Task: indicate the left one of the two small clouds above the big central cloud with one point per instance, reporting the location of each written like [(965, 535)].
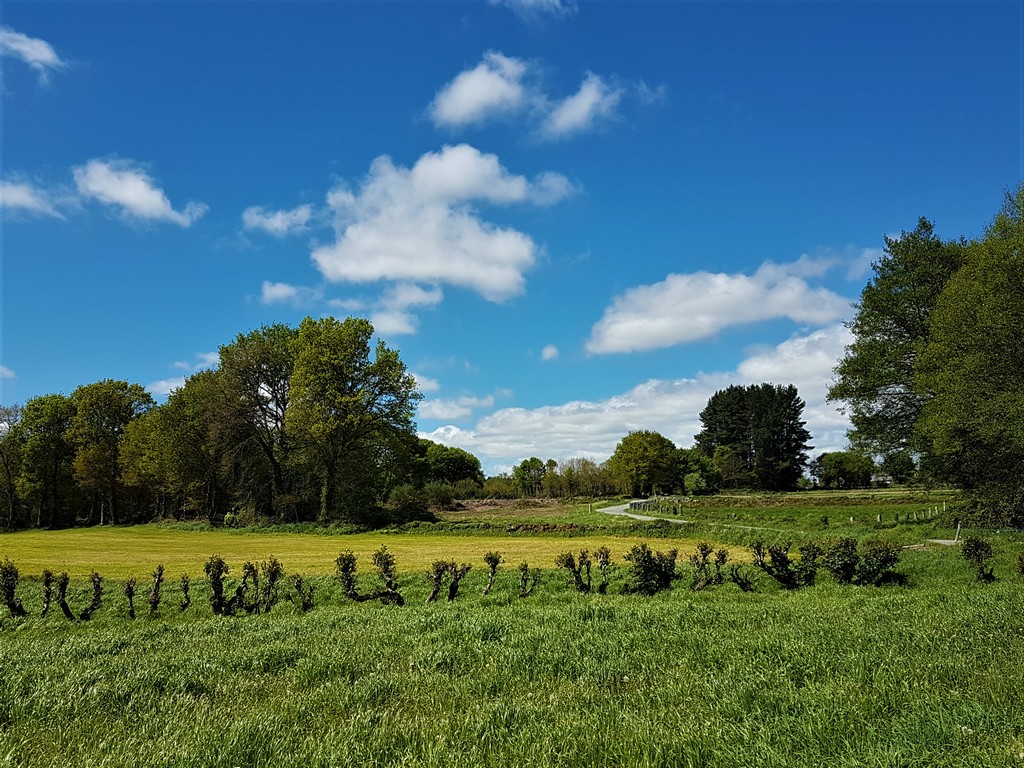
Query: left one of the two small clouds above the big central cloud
[(492, 89)]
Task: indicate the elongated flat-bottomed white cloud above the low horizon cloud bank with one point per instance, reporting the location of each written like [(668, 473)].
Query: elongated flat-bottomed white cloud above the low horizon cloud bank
[(689, 308)]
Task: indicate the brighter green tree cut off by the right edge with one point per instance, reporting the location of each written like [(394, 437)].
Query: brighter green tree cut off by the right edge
[(971, 373)]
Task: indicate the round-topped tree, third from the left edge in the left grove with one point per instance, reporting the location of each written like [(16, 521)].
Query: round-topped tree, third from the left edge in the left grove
[(103, 412)]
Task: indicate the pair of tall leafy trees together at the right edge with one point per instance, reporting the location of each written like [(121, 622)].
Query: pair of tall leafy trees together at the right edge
[(934, 378)]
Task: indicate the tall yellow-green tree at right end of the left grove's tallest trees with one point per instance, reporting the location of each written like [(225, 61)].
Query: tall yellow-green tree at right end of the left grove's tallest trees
[(347, 400)]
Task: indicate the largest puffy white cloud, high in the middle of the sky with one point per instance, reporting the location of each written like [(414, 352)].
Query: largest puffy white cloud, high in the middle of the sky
[(419, 226)]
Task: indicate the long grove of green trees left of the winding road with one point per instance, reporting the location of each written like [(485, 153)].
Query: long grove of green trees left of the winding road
[(294, 424)]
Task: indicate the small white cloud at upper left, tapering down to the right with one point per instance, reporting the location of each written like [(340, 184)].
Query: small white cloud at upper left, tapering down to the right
[(122, 184)]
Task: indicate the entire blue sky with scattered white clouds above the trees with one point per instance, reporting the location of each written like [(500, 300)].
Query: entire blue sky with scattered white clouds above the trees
[(574, 221)]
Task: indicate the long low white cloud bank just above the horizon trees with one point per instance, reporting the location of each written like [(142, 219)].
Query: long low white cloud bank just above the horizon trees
[(592, 430)]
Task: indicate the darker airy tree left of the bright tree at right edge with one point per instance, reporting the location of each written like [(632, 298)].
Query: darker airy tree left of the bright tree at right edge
[(876, 377)]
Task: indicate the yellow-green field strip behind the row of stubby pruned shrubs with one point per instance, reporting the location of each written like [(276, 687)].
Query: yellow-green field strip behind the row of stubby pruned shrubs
[(124, 552)]
